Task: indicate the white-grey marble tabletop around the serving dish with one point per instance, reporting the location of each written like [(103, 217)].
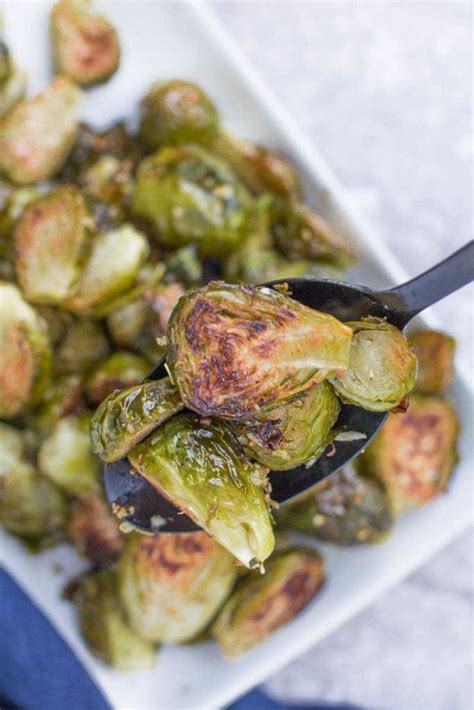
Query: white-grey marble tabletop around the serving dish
[(385, 91)]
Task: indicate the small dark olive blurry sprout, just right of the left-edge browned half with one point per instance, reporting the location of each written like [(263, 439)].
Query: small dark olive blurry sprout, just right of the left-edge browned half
[(83, 344)]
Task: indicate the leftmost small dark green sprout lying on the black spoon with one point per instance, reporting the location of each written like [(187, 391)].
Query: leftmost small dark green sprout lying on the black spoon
[(126, 418)]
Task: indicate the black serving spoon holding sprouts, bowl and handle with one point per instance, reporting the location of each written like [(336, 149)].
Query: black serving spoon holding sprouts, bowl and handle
[(398, 305)]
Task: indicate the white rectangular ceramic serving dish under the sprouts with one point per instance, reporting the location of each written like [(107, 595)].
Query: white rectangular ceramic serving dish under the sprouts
[(176, 39)]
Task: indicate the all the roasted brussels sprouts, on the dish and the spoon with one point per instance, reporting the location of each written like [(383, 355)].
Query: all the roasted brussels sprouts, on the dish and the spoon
[(118, 248)]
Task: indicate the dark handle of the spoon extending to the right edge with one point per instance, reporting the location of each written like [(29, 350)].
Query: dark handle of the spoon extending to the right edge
[(433, 285)]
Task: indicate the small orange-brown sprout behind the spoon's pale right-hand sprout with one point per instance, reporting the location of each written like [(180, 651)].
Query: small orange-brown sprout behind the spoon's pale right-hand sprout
[(435, 353)]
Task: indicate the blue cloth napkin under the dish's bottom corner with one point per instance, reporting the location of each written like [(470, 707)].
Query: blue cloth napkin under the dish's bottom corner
[(38, 670)]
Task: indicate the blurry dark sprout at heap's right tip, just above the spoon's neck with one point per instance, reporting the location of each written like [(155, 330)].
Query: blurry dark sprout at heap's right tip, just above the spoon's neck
[(300, 233)]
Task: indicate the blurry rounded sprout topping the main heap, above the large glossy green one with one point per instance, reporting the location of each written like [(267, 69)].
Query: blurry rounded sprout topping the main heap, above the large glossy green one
[(177, 113)]
